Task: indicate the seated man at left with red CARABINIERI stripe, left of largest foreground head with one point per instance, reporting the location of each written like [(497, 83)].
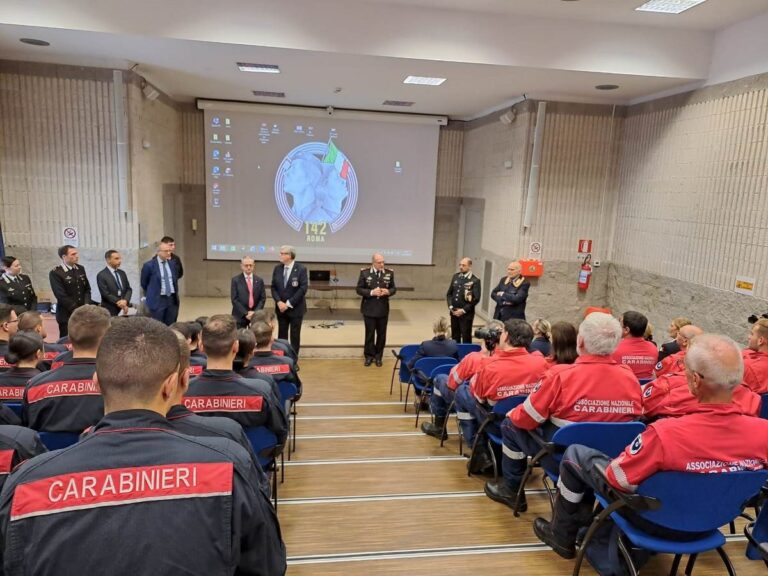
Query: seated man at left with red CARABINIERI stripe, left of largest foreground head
[(67, 399)]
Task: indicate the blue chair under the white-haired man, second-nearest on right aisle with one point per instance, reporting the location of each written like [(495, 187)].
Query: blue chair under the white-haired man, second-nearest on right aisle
[(610, 438)]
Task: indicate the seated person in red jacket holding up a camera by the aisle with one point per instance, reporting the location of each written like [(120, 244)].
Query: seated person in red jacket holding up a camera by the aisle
[(445, 386)]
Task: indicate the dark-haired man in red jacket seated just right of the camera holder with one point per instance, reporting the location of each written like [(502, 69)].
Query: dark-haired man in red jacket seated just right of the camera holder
[(513, 372)]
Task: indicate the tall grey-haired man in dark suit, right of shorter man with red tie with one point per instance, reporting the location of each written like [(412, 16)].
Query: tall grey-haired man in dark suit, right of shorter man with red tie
[(289, 290)]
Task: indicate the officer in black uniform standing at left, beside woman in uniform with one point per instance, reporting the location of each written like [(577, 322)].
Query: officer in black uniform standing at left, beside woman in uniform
[(69, 285)]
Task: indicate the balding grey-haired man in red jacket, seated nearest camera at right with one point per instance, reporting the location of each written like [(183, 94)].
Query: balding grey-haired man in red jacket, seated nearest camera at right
[(713, 369)]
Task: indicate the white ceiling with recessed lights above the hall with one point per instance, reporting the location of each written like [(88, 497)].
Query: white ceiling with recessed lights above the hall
[(491, 53)]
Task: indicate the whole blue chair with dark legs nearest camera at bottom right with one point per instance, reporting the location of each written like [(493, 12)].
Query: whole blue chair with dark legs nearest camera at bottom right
[(695, 505)]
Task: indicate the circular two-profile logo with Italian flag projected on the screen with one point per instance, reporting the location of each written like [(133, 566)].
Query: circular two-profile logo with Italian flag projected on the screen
[(316, 188)]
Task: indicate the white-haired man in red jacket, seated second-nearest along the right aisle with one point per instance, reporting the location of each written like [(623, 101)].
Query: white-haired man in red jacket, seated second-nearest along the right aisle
[(595, 388)]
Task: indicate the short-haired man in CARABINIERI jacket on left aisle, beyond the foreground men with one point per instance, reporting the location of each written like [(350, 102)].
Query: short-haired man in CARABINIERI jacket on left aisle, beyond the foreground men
[(220, 391)]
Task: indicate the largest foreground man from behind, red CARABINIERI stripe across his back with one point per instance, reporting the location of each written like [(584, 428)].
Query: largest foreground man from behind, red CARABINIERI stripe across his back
[(133, 479)]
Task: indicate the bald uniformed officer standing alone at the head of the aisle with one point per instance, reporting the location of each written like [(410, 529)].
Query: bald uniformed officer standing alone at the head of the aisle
[(376, 284)]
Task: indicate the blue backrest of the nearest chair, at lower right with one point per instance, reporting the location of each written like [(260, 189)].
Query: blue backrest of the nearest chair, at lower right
[(697, 502)]
